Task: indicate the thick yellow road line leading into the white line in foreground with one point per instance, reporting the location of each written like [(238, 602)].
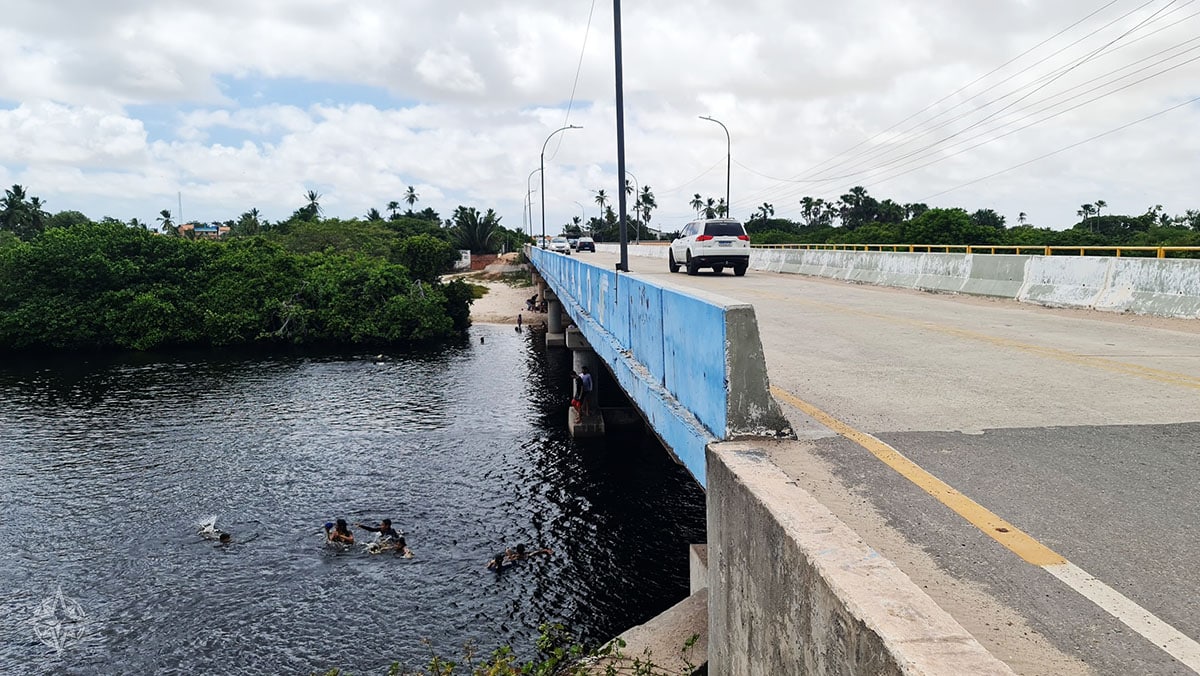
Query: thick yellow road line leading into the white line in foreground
[(1004, 533)]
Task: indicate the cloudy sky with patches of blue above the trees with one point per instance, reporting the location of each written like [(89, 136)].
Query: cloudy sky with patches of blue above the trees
[(118, 107)]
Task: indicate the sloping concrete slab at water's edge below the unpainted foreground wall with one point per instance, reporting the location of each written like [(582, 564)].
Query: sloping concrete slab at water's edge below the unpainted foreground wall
[(665, 639)]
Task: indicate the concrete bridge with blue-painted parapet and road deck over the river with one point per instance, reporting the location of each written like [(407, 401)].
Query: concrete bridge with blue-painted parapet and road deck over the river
[(945, 484)]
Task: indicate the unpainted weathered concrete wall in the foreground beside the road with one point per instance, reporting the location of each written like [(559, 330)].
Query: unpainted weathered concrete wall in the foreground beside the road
[(793, 590)]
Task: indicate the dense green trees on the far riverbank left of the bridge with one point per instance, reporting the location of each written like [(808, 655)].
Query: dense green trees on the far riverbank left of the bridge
[(68, 283)]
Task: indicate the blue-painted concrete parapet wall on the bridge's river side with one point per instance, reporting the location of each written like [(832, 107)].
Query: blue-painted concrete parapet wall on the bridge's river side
[(693, 363)]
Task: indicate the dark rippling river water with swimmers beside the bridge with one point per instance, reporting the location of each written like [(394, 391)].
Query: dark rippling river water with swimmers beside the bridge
[(107, 466)]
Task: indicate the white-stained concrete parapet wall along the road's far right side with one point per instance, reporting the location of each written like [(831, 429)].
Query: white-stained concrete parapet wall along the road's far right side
[(1144, 286)]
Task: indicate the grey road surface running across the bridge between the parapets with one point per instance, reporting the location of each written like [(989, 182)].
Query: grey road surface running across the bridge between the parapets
[(1079, 430)]
